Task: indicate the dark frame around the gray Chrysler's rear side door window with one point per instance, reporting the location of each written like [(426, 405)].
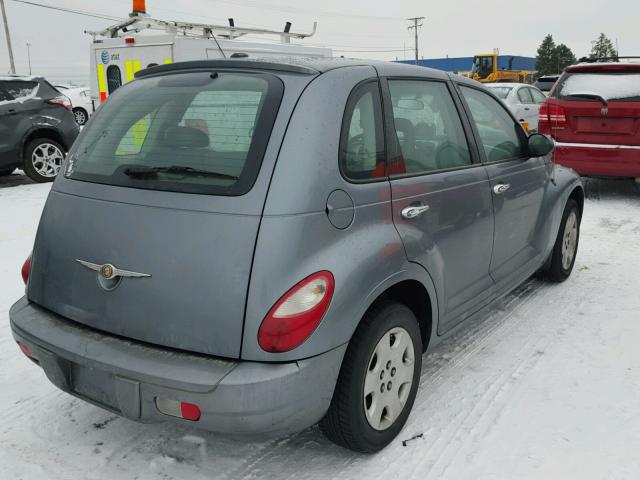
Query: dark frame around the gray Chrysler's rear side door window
[(392, 139)]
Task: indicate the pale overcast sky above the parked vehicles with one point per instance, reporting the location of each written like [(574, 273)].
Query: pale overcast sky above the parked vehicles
[(355, 28)]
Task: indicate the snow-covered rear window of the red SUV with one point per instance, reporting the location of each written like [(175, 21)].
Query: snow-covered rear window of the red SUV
[(614, 87)]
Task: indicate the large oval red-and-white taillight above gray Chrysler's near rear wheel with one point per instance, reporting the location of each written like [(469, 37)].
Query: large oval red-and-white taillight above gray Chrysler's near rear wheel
[(297, 314)]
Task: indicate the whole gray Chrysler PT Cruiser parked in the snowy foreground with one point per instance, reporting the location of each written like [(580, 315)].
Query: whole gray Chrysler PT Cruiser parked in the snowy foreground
[(255, 247)]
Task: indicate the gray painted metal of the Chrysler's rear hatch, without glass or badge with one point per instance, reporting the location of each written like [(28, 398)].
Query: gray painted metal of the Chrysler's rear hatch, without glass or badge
[(197, 248)]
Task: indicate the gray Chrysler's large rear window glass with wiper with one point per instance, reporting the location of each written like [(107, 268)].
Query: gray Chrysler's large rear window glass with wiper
[(188, 132)]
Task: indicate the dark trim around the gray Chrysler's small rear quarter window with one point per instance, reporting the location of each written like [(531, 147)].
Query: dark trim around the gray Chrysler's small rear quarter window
[(344, 132)]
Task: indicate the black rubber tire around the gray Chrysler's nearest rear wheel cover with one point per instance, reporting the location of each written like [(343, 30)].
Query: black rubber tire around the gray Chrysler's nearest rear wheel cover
[(346, 422)]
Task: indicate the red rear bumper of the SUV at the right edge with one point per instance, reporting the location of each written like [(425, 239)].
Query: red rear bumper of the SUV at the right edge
[(608, 160)]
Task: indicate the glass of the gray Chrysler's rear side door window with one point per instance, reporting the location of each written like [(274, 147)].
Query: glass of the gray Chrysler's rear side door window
[(428, 127)]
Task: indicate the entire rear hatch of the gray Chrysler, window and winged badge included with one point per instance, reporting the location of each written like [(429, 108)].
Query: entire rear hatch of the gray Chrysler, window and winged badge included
[(150, 233)]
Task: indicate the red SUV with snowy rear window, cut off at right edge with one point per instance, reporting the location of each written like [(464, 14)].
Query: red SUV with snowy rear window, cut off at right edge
[(593, 114)]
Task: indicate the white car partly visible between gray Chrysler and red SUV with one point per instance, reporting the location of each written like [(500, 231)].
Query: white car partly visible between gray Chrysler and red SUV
[(523, 100)]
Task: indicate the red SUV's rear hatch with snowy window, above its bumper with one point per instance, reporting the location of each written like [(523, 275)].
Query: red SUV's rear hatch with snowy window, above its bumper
[(597, 105)]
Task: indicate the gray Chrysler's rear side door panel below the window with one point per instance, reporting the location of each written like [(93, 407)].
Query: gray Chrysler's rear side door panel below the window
[(459, 219)]
